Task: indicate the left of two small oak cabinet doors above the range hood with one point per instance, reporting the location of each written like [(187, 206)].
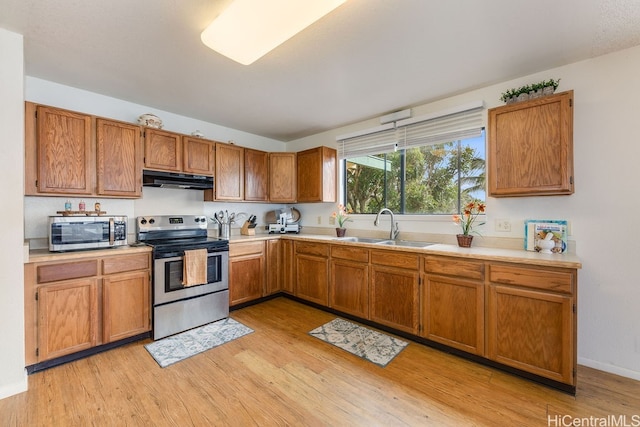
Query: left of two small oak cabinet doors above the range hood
[(162, 150)]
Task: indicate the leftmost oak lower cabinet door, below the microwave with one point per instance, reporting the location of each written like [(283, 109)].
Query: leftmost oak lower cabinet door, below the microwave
[(67, 318)]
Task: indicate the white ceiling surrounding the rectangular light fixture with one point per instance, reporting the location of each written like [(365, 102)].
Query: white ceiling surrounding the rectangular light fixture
[(365, 59)]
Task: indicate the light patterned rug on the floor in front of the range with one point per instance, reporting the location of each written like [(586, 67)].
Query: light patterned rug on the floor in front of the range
[(175, 348)]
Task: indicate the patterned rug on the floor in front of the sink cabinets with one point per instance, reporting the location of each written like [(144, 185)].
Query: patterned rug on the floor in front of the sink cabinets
[(373, 346)]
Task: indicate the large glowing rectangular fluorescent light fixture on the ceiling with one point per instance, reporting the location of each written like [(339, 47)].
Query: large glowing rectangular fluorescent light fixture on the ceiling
[(248, 29)]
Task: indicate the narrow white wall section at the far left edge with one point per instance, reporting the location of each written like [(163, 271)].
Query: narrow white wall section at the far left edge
[(13, 377)]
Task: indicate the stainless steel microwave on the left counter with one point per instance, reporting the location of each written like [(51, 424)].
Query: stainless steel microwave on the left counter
[(71, 233)]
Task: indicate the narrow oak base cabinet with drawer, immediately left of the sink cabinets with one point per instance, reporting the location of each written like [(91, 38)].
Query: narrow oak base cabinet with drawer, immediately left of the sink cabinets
[(312, 272)]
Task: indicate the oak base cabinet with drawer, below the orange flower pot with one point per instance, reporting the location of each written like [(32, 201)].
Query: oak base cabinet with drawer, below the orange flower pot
[(453, 303)]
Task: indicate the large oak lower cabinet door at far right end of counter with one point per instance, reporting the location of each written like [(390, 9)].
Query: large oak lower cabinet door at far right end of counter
[(533, 331)]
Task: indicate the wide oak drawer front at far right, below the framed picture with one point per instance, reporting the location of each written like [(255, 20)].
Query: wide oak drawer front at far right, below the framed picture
[(547, 279)]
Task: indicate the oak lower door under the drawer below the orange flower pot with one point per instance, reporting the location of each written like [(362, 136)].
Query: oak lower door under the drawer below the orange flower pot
[(453, 313)]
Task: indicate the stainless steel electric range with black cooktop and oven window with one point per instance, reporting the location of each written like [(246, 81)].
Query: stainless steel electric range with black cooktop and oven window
[(177, 307)]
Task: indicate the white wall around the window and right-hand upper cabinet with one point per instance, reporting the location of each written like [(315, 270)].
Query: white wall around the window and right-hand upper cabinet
[(601, 212)]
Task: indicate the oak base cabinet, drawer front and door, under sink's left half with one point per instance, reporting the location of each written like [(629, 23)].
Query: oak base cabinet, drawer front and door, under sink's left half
[(349, 282)]
